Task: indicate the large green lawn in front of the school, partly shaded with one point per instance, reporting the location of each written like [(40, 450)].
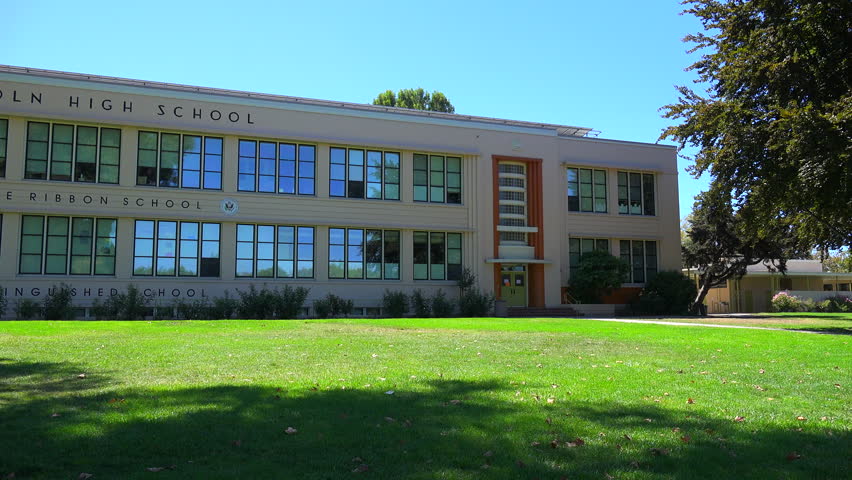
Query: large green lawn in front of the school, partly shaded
[(421, 399)]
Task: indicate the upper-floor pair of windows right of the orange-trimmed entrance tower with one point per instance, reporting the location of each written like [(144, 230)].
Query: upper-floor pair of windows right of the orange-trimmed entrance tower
[(587, 192)]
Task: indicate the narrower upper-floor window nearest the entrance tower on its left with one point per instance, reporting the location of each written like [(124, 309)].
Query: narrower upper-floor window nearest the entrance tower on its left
[(437, 178)]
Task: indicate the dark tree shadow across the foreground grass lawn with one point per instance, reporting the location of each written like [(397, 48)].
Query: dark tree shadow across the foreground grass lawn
[(451, 429)]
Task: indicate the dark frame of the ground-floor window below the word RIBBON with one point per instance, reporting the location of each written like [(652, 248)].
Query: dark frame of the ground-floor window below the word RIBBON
[(68, 245)]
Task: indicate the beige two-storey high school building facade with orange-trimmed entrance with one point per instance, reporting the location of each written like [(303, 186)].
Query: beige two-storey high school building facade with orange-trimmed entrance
[(190, 192)]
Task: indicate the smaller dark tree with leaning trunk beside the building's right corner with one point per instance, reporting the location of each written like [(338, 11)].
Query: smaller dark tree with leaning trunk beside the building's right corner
[(721, 245)]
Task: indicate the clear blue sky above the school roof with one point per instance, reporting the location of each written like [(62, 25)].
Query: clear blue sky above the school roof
[(609, 65)]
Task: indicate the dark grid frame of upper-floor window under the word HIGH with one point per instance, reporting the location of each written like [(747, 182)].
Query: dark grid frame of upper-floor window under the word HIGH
[(73, 147)]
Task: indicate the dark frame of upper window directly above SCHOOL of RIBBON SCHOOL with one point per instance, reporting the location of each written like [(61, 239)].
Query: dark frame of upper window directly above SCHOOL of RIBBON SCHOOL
[(180, 153)]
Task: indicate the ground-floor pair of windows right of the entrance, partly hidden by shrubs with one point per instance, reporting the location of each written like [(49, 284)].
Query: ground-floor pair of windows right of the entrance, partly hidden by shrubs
[(640, 255)]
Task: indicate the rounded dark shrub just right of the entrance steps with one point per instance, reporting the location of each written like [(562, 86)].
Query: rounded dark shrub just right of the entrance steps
[(597, 275)]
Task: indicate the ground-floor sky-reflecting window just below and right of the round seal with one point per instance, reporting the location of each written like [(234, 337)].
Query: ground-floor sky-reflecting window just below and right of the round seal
[(275, 251)]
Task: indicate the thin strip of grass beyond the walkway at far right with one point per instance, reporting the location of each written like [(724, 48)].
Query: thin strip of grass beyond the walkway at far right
[(838, 323)]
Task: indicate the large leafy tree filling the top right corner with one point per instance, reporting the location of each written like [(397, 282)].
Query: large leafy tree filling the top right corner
[(773, 128)]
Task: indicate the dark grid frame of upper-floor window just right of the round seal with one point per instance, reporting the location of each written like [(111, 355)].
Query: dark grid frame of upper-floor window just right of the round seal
[(304, 170)]
